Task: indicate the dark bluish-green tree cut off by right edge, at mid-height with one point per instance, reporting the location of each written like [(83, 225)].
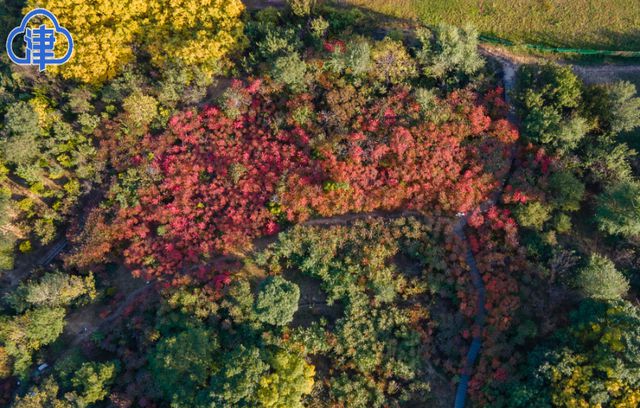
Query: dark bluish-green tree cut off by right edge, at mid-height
[(618, 209)]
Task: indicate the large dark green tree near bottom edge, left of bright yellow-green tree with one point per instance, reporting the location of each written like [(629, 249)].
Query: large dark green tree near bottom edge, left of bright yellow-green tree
[(181, 365)]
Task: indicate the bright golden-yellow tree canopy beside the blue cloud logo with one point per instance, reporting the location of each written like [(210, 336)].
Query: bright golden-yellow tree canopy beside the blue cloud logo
[(107, 34)]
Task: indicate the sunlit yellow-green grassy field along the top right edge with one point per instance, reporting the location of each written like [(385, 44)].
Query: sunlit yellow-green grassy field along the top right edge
[(598, 24)]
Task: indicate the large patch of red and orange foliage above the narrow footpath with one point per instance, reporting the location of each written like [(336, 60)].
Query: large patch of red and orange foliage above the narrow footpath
[(219, 182)]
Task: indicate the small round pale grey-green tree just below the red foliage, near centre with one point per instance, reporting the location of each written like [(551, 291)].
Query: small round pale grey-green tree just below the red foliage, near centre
[(277, 301)]
